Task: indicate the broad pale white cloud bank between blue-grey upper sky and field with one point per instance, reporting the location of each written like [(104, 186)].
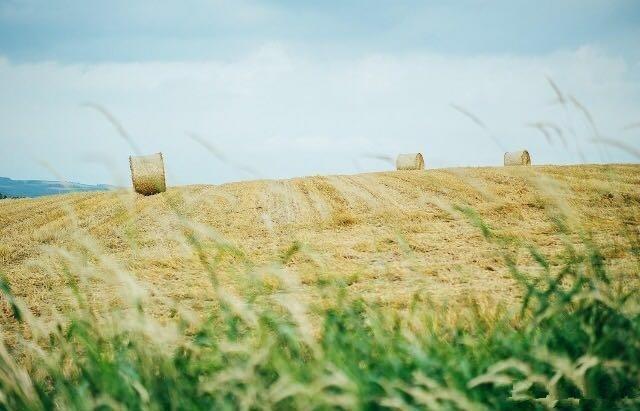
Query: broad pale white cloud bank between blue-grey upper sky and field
[(290, 114)]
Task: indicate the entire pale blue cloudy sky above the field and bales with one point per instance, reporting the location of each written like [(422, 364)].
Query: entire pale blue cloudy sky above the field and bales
[(233, 90)]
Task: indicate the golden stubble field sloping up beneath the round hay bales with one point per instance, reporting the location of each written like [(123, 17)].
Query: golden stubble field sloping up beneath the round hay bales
[(388, 235)]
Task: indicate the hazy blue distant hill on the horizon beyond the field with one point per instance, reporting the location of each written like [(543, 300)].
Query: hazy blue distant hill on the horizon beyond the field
[(39, 188)]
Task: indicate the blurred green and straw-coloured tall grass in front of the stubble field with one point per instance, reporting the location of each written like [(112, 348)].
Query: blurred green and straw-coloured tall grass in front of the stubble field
[(574, 344)]
